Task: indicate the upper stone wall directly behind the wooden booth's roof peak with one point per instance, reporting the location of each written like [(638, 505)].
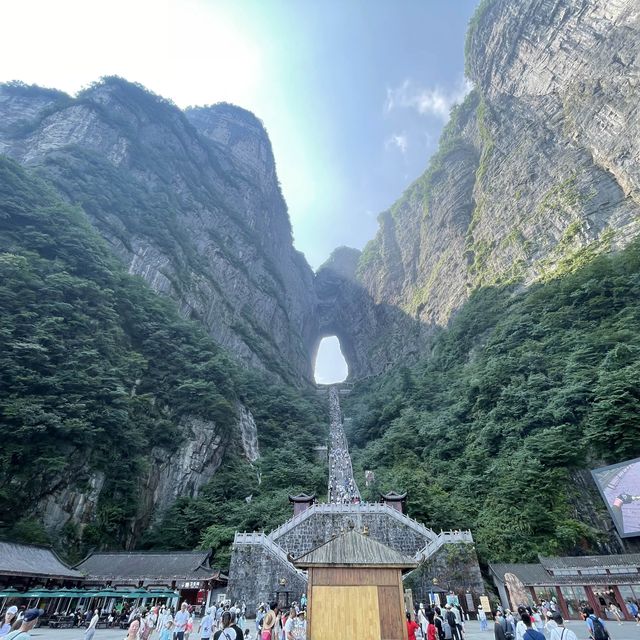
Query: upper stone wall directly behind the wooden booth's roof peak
[(321, 526)]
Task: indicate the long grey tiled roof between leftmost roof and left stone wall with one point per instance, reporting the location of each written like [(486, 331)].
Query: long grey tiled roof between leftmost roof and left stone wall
[(150, 565)]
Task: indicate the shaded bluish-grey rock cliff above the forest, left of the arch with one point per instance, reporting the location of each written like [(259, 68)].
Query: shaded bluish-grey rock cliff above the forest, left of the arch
[(189, 202)]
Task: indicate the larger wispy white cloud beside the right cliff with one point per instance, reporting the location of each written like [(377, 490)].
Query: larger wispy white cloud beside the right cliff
[(434, 101)]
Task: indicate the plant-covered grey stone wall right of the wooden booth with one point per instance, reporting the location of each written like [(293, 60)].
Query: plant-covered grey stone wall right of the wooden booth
[(455, 567)]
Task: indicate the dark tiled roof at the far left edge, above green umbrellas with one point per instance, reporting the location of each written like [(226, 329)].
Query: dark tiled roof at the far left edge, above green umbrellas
[(33, 560)]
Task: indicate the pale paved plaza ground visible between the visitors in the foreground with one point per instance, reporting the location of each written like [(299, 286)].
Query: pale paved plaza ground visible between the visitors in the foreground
[(626, 631)]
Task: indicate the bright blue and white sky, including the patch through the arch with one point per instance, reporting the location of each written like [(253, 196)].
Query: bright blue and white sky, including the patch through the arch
[(353, 93)]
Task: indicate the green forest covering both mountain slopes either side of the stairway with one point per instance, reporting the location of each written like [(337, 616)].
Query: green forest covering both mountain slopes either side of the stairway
[(524, 388)]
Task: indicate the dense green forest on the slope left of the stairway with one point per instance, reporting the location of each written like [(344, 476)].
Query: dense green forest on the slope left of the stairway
[(96, 370)]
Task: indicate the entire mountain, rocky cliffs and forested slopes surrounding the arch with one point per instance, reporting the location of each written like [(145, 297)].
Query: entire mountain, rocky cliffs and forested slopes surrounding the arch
[(158, 328)]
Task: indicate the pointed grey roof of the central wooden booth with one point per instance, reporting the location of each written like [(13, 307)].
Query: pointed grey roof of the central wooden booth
[(353, 548)]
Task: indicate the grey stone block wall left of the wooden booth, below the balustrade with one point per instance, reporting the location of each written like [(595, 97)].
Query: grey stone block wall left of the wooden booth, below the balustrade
[(254, 575)]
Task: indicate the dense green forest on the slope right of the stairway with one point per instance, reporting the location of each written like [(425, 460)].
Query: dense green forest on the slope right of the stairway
[(522, 390)]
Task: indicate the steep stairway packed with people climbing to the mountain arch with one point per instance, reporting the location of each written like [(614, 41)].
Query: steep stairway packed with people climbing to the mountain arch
[(342, 485)]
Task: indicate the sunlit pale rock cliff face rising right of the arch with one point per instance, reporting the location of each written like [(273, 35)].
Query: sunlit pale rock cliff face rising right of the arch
[(538, 170)]
